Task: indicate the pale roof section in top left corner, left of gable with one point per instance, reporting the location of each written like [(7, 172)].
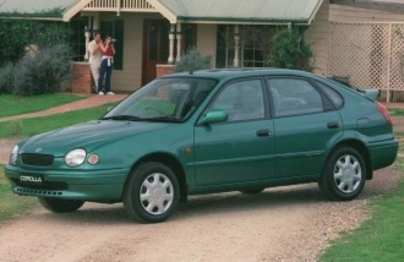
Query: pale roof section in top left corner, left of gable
[(35, 9)]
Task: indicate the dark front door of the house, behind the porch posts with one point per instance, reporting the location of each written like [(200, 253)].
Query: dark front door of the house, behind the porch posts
[(155, 47)]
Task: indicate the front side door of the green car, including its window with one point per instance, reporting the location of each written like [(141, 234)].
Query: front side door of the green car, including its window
[(240, 149)]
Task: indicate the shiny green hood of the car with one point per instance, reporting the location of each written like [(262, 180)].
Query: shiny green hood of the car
[(88, 135)]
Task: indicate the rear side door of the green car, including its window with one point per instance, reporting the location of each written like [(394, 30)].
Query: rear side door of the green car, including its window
[(306, 121)]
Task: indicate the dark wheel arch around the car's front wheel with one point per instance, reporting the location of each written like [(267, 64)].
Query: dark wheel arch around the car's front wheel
[(168, 160)]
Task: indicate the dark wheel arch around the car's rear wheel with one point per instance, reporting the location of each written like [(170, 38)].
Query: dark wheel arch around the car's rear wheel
[(358, 145)]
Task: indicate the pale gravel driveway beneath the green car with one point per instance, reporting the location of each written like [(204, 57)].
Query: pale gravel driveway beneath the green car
[(282, 224)]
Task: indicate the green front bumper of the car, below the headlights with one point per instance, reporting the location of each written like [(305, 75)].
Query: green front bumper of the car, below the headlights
[(94, 185)]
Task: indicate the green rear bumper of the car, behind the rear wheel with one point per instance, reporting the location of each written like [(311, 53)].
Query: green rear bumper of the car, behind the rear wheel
[(383, 154)]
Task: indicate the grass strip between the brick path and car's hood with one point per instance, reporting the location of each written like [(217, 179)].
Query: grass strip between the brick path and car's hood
[(34, 126)]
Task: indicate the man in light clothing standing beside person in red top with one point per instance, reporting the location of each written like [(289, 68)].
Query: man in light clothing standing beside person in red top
[(95, 59)]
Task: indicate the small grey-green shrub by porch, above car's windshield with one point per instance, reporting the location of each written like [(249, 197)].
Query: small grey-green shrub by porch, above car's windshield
[(193, 60)]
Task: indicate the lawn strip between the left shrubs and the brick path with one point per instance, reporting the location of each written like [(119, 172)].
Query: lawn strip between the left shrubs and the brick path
[(14, 105)]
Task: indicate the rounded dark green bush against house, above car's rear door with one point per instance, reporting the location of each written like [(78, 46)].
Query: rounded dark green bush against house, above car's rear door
[(289, 50)]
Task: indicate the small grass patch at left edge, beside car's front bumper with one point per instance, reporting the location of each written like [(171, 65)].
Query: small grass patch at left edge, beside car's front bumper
[(12, 205)]
